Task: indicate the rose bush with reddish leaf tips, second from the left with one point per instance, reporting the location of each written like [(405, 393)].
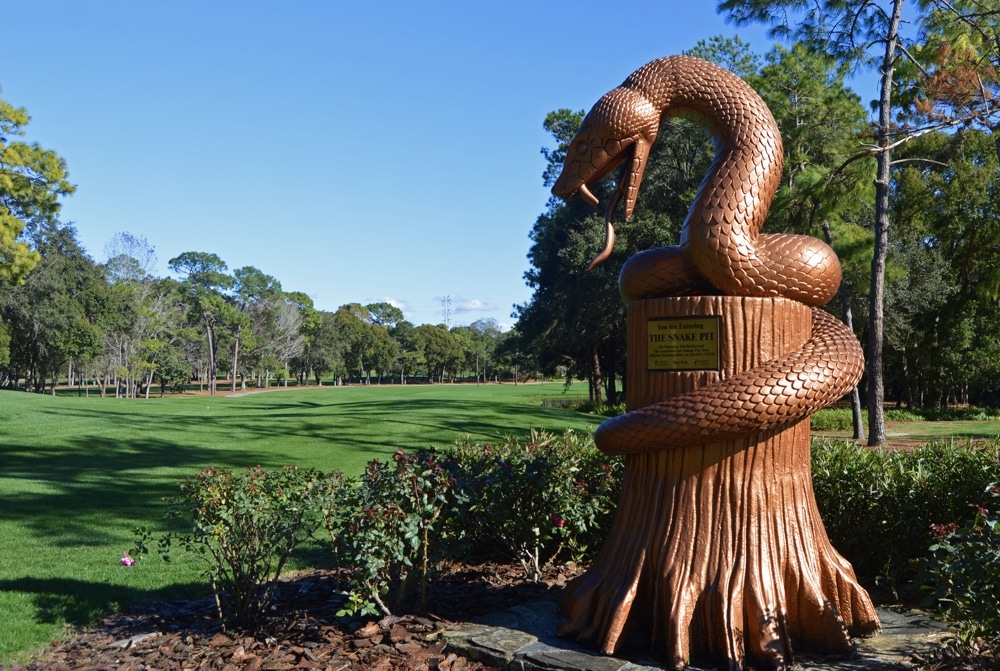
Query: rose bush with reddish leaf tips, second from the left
[(384, 526)]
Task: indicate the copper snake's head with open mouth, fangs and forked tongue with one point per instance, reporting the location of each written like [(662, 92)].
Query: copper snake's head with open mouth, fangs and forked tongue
[(620, 129)]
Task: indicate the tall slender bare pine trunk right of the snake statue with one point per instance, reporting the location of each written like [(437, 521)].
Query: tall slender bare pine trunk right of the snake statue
[(876, 384)]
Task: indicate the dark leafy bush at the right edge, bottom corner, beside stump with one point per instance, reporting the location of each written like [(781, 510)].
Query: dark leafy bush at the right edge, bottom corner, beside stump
[(962, 570)]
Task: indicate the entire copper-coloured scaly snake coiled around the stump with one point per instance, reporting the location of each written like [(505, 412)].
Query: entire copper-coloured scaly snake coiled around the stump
[(721, 250)]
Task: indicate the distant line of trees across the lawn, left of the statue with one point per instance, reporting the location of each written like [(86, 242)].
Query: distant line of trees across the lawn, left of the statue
[(117, 327)]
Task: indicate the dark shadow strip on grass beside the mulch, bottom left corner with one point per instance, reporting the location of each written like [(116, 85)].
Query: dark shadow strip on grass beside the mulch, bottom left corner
[(80, 603)]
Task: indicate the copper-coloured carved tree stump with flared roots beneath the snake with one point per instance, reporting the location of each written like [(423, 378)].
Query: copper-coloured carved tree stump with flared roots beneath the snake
[(717, 553)]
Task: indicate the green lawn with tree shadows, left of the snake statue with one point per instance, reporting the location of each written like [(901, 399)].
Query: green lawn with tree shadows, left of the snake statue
[(78, 474)]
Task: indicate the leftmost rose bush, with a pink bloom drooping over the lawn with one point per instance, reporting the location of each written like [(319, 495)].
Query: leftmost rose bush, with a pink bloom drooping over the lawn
[(245, 529)]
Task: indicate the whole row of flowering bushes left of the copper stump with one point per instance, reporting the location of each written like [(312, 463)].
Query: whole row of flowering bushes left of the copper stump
[(533, 502)]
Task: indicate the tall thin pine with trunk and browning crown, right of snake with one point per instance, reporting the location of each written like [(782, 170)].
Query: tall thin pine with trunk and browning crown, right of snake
[(942, 77)]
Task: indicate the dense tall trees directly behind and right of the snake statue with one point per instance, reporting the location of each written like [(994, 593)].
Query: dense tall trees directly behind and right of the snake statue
[(924, 300)]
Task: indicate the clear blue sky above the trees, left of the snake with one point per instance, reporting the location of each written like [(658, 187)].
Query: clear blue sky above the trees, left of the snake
[(356, 151)]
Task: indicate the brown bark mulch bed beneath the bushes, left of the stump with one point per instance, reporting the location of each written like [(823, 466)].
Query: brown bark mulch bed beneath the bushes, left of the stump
[(303, 632)]
